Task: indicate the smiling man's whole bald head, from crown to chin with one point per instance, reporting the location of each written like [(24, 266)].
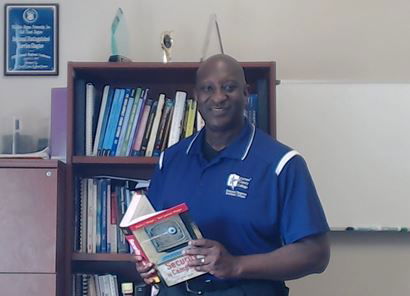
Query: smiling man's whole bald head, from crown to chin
[(221, 93)]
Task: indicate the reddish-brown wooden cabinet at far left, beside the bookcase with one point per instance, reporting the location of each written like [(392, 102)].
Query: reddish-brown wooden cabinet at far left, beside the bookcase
[(31, 222)]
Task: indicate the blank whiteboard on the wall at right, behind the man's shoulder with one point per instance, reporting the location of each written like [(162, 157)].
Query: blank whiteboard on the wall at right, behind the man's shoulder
[(356, 141)]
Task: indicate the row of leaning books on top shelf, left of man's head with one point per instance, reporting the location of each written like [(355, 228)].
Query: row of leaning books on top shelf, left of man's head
[(128, 122)]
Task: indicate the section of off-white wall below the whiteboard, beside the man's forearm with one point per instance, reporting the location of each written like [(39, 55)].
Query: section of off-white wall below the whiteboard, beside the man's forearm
[(361, 264)]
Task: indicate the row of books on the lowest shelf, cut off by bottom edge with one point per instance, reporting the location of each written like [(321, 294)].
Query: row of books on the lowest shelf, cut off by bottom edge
[(84, 284)]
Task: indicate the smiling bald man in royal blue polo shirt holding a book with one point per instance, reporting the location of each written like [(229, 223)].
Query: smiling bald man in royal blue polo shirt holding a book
[(251, 196)]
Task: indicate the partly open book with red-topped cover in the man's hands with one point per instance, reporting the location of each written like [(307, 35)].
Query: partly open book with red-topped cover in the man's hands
[(161, 237)]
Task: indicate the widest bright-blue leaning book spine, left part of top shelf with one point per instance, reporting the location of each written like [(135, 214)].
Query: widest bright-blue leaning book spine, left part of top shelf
[(113, 120)]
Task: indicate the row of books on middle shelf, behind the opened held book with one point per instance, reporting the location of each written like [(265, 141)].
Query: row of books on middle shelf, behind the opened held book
[(100, 204)]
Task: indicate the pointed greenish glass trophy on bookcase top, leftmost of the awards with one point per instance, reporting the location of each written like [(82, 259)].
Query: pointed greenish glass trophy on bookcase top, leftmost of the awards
[(119, 38)]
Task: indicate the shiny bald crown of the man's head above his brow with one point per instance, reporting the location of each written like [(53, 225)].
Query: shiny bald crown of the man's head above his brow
[(221, 63)]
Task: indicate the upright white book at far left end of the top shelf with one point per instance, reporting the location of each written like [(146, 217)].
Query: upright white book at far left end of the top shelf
[(89, 117)]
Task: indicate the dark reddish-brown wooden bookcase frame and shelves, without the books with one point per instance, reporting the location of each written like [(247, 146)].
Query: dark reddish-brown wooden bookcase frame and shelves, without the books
[(159, 78)]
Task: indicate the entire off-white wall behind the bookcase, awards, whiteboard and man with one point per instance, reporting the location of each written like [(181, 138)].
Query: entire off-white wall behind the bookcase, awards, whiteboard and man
[(364, 41)]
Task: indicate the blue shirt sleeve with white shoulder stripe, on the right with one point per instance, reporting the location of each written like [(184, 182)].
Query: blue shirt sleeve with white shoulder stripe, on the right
[(302, 213)]
